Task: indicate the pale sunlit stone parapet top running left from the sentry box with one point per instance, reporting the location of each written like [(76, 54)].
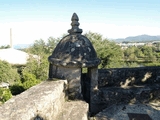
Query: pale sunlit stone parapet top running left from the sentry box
[(44, 100)]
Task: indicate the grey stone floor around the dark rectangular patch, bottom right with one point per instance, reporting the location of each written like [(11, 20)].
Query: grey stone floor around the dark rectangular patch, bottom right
[(119, 112)]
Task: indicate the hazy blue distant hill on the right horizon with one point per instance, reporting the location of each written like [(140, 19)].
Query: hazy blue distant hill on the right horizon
[(139, 38)]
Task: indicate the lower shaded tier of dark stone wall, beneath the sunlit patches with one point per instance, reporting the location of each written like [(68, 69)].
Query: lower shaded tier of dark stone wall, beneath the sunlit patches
[(106, 97)]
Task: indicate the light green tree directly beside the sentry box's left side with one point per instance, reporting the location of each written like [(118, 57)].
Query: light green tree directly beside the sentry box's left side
[(39, 67)]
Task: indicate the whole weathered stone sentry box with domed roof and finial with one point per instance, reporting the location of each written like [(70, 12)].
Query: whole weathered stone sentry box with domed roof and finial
[(71, 54)]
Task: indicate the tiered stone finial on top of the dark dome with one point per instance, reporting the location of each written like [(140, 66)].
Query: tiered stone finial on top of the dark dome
[(75, 25)]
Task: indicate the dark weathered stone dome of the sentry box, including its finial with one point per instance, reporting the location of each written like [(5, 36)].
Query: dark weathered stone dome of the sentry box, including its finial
[(74, 50)]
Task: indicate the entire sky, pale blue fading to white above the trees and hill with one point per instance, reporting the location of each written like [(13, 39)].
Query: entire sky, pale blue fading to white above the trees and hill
[(40, 19)]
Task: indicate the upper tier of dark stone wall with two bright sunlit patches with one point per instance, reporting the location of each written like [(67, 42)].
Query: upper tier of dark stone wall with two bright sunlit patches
[(122, 77)]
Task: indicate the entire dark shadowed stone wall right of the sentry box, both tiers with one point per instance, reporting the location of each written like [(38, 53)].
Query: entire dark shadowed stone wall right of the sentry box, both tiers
[(127, 85)]
